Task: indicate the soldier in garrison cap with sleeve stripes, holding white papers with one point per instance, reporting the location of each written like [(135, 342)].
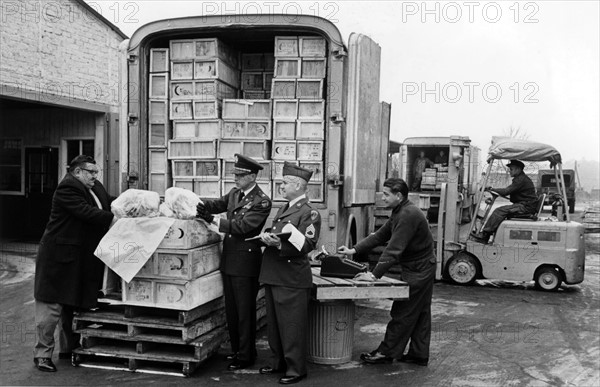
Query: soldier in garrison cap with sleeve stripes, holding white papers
[(287, 276)]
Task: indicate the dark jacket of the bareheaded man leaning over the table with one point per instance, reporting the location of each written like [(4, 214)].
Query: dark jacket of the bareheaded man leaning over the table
[(410, 241)]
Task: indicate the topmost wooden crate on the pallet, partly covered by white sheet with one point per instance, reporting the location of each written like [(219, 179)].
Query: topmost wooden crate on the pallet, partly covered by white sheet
[(188, 234)]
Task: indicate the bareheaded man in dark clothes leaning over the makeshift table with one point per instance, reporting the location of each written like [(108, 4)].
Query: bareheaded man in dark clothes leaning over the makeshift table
[(410, 244)]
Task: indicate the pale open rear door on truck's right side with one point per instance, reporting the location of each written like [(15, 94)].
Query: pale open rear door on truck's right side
[(363, 131)]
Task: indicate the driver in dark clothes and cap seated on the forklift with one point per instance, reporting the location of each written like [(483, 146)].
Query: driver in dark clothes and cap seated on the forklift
[(522, 195)]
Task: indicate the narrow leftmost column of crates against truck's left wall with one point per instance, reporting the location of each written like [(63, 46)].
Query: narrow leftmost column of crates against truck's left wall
[(159, 178)]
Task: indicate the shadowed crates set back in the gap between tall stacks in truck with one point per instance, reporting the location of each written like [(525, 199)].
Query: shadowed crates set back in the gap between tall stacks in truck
[(257, 74)]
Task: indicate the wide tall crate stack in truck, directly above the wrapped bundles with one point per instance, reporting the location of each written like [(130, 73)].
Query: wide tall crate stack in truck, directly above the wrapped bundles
[(204, 73)]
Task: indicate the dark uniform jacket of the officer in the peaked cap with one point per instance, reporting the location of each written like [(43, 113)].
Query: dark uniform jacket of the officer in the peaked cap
[(244, 220)]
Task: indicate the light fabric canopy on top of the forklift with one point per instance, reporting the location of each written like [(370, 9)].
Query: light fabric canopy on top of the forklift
[(508, 148)]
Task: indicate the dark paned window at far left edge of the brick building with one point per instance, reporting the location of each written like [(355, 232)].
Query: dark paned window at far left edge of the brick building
[(11, 166)]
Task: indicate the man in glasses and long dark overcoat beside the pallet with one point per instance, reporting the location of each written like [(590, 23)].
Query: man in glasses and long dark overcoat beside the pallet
[(67, 274)]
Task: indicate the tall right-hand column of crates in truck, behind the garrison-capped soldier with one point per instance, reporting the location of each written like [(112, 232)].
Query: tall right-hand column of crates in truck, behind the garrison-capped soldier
[(297, 91)]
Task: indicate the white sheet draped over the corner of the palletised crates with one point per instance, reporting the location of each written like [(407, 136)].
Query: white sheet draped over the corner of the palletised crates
[(129, 244)]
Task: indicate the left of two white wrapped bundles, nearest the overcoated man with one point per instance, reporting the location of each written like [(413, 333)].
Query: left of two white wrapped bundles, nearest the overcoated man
[(136, 203)]
